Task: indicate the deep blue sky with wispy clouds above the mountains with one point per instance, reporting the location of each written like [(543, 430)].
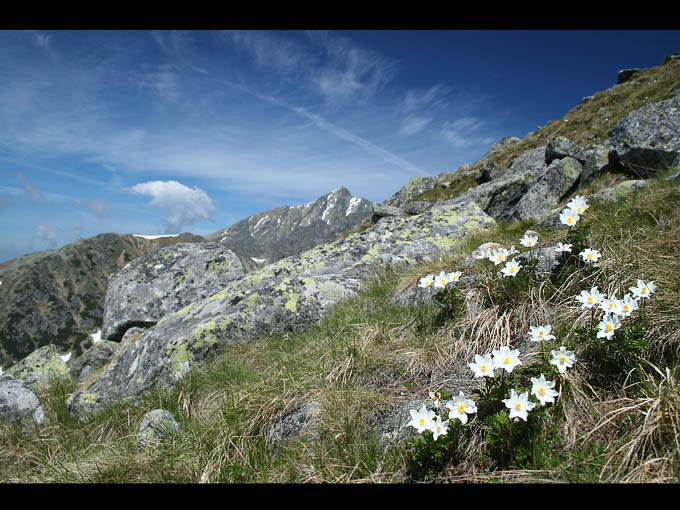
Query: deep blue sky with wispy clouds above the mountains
[(161, 132)]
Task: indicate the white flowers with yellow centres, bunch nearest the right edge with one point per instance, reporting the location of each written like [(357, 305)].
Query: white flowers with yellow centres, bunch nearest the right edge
[(614, 308)]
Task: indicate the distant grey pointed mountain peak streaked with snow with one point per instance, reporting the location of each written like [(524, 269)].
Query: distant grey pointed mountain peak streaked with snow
[(272, 235)]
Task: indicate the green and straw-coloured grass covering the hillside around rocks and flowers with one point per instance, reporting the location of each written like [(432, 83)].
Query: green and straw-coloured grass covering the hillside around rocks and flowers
[(333, 403)]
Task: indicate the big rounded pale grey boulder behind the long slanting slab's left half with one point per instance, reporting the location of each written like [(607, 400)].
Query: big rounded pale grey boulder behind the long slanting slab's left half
[(165, 281)]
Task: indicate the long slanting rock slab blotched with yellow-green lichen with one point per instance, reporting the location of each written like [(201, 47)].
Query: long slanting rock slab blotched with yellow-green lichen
[(290, 294)]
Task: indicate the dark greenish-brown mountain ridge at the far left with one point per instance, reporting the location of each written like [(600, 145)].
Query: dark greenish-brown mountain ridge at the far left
[(56, 297)]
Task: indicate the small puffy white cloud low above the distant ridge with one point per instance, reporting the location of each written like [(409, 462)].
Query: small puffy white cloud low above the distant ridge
[(186, 205)]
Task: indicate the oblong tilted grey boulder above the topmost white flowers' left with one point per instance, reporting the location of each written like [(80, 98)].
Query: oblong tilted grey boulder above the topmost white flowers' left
[(549, 189)]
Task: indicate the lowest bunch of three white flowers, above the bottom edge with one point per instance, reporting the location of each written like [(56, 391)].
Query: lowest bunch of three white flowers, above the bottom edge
[(434, 421)]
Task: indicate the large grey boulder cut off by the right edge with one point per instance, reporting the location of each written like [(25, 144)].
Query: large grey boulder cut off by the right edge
[(647, 140)]
